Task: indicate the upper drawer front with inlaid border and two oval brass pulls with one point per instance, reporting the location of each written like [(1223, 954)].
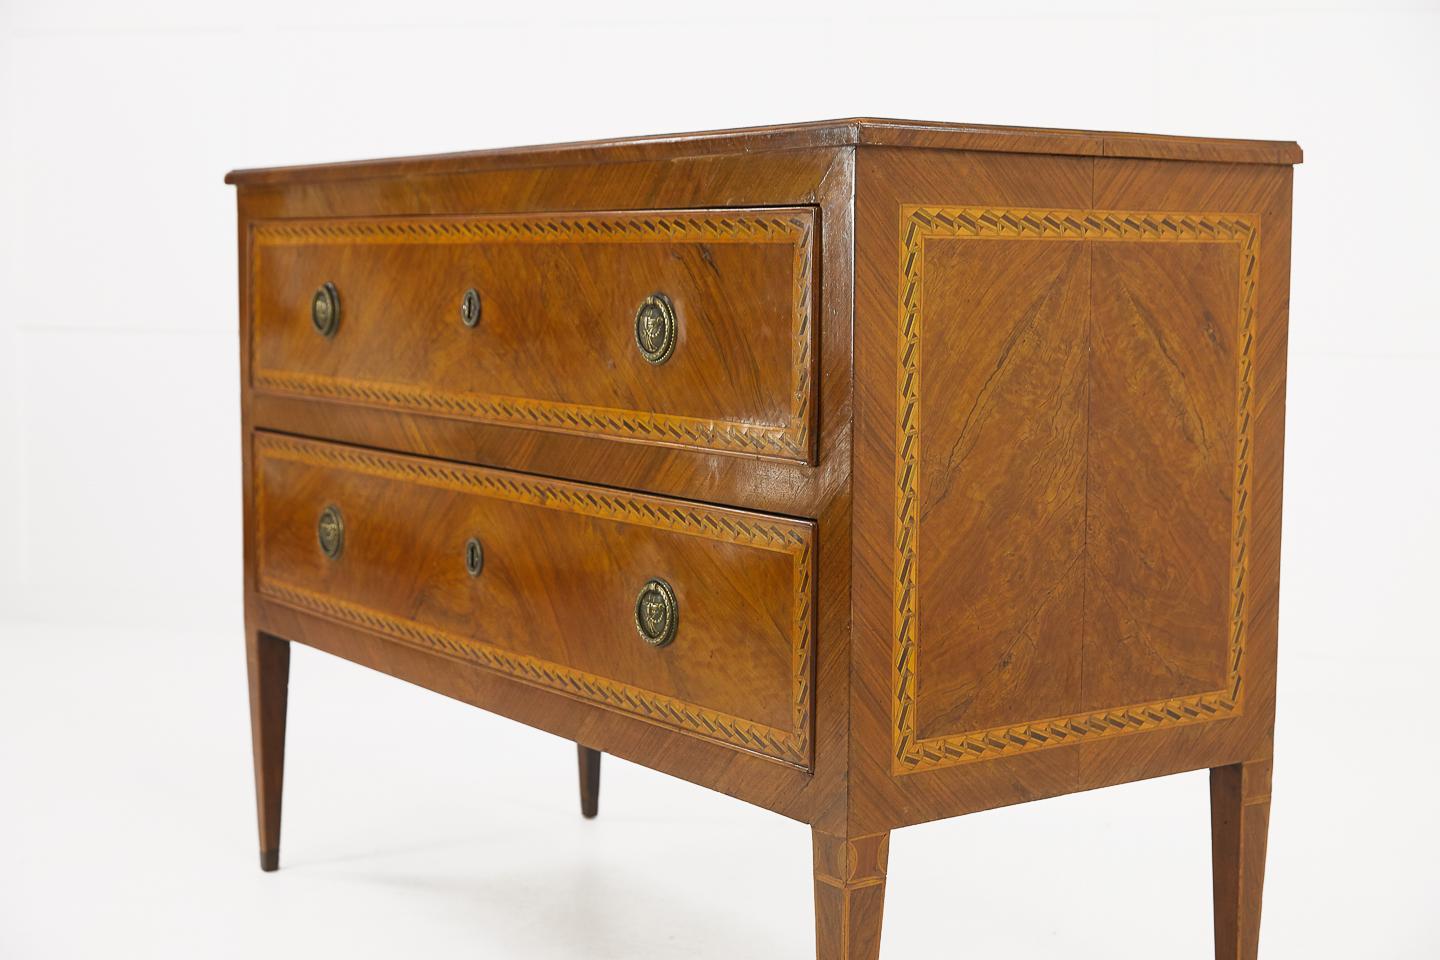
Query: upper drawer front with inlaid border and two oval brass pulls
[(552, 338)]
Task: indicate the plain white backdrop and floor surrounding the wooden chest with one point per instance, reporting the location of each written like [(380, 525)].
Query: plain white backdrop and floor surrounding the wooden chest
[(418, 827)]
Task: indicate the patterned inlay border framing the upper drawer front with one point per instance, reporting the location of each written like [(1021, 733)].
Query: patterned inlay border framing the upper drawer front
[(788, 441)]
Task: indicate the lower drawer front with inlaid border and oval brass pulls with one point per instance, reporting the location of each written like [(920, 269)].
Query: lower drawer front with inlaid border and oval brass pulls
[(544, 581)]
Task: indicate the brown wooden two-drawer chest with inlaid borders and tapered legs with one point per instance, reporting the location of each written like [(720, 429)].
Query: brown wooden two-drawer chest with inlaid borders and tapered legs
[(868, 471)]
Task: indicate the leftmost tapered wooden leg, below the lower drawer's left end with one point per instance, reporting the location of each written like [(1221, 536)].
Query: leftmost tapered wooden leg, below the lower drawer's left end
[(270, 689)]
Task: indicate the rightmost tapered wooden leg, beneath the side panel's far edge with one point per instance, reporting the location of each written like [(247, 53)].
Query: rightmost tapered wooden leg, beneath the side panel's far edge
[(1239, 827)]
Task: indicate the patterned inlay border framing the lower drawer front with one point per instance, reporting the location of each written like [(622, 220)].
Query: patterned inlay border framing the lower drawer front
[(791, 746)]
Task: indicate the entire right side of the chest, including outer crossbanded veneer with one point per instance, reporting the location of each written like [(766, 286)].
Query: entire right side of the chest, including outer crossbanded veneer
[(1059, 448)]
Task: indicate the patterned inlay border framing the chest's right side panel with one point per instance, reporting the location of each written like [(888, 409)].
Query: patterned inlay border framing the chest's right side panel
[(919, 222)]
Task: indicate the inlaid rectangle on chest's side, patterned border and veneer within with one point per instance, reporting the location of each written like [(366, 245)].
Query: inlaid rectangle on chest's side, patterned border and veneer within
[(1072, 471)]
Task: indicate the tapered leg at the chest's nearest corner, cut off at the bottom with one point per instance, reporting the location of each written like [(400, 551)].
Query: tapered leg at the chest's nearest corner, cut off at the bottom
[(850, 896)]
